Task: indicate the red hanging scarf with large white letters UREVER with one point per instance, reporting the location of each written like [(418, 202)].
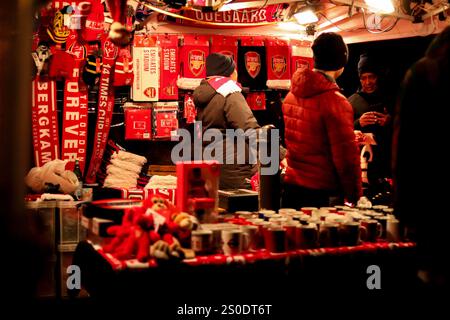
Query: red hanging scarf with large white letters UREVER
[(75, 115)]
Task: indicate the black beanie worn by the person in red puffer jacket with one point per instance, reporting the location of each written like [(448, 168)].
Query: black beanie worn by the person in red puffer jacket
[(330, 52)]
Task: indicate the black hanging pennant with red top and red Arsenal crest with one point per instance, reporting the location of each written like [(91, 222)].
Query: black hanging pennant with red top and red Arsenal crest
[(252, 69)]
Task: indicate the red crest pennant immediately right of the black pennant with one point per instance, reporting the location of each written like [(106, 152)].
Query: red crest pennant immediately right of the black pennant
[(278, 64)]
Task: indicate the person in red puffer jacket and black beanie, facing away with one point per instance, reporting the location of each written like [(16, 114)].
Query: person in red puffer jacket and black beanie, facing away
[(322, 156)]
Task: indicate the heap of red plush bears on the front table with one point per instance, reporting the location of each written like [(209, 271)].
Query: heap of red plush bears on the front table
[(151, 231)]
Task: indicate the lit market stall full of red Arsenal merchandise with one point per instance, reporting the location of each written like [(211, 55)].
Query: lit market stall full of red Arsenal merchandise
[(112, 98)]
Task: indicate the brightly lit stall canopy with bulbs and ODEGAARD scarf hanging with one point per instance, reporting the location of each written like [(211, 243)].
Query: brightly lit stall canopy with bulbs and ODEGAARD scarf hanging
[(355, 20)]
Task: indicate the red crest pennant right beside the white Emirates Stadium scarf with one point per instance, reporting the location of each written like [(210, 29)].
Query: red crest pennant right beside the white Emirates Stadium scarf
[(193, 53)]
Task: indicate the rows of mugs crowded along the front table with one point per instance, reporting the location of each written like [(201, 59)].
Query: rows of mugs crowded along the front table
[(290, 229)]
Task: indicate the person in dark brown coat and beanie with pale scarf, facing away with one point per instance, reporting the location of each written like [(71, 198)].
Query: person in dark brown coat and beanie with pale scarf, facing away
[(221, 105)]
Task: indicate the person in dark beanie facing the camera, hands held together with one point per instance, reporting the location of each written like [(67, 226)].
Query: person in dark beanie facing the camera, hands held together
[(372, 114)]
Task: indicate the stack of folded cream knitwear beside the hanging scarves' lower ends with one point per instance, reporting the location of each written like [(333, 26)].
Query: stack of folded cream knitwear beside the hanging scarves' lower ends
[(124, 169)]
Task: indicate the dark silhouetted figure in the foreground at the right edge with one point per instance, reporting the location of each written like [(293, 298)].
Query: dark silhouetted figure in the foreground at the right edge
[(420, 168)]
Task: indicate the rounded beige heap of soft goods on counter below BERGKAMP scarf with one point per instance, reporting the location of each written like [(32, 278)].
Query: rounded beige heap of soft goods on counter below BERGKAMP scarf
[(52, 176)]
